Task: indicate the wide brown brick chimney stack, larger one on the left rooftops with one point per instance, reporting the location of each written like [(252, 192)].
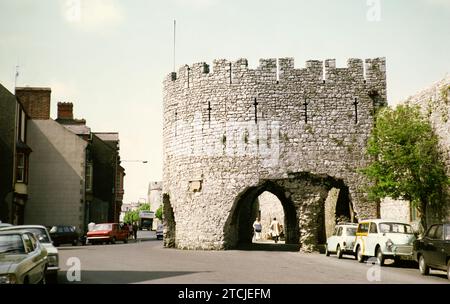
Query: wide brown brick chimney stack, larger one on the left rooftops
[(36, 101)]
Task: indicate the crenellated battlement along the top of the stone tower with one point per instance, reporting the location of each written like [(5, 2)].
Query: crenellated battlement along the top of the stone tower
[(280, 70)]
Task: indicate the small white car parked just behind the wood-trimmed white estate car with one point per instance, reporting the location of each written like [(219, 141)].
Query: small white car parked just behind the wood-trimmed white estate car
[(342, 241)]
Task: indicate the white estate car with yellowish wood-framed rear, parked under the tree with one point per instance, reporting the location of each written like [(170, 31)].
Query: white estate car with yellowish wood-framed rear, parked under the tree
[(384, 240)]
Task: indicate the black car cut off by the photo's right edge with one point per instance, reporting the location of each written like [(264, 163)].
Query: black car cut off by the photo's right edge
[(433, 250)]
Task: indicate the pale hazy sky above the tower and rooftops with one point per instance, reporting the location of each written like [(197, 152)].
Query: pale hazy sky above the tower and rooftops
[(109, 57)]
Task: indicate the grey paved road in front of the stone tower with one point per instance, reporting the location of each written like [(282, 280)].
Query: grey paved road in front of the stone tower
[(146, 261)]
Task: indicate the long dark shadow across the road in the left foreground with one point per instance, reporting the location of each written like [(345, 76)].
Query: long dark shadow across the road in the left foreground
[(120, 277)]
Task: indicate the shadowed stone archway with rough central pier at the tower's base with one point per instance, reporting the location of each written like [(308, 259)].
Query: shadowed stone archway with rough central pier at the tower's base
[(303, 197)]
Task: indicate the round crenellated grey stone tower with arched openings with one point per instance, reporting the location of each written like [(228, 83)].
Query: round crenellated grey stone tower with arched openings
[(232, 132)]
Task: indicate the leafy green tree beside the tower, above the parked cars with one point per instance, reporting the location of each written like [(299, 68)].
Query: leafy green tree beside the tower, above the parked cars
[(407, 163)]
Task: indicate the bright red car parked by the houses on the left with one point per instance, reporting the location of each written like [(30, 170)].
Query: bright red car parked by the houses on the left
[(107, 233)]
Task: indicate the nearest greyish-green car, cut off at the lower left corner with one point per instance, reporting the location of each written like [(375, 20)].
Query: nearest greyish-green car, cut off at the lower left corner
[(23, 260)]
